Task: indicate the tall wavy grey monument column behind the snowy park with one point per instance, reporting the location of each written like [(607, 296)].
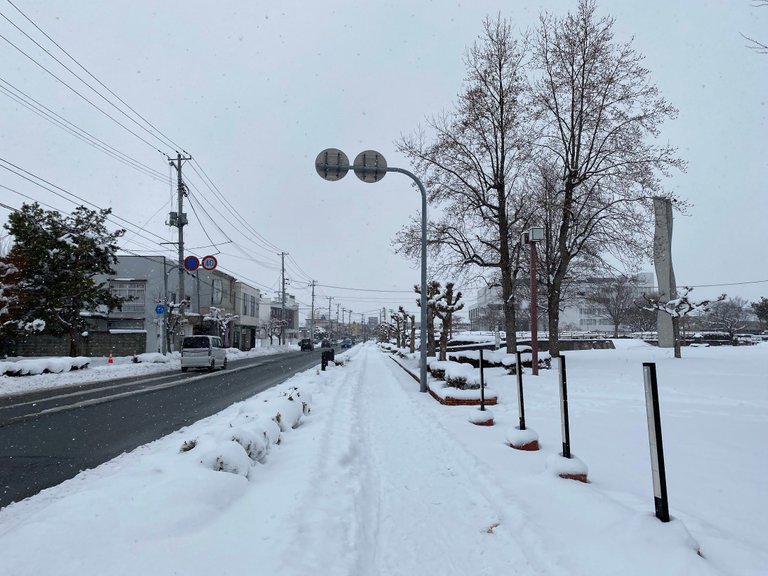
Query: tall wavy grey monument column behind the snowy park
[(665, 274)]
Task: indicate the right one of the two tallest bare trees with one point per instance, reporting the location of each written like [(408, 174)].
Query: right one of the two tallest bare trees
[(599, 113)]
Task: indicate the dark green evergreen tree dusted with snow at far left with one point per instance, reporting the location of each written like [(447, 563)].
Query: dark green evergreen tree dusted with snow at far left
[(56, 258)]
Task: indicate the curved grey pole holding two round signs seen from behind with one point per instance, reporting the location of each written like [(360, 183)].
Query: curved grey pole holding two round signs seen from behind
[(370, 166)]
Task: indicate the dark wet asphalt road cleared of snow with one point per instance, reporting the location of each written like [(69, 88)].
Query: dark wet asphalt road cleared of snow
[(48, 437)]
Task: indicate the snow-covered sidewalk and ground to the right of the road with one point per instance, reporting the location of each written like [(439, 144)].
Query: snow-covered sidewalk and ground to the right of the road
[(378, 479)]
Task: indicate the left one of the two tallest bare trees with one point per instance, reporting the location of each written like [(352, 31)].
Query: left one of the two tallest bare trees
[(472, 165)]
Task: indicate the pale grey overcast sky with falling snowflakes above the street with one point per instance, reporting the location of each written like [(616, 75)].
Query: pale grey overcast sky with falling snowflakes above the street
[(254, 90)]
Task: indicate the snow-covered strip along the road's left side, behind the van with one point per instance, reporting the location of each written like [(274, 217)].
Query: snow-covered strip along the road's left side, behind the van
[(99, 368)]
